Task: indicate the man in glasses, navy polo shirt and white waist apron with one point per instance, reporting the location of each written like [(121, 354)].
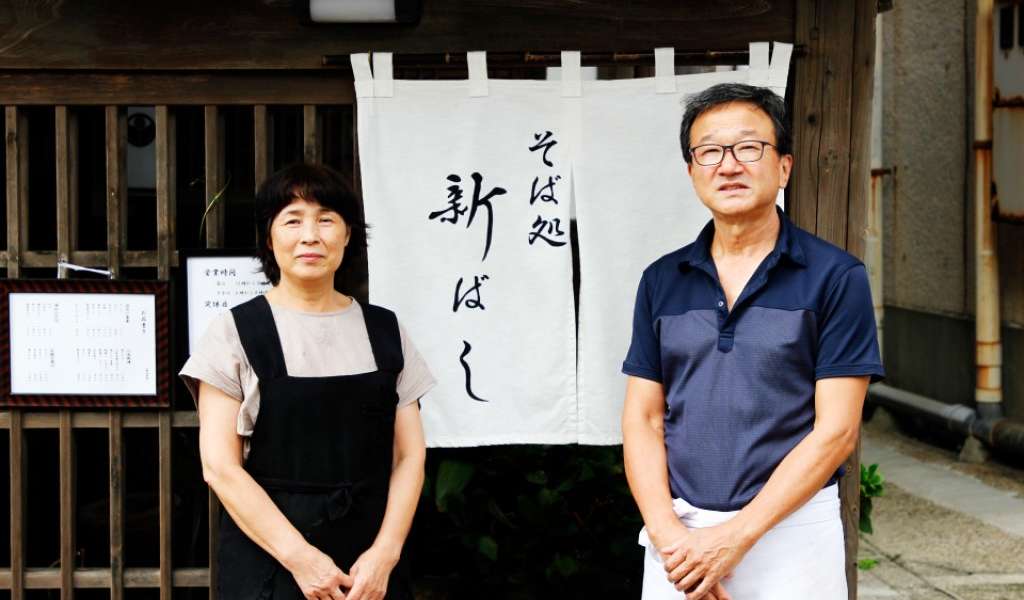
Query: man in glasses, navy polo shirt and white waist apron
[(751, 357)]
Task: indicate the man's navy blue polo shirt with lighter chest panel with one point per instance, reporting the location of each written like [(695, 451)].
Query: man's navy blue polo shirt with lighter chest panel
[(740, 384)]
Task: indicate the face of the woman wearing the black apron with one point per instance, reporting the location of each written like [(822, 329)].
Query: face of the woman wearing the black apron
[(309, 241)]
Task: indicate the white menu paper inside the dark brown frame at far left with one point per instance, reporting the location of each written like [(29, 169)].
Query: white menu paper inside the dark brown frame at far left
[(84, 345)]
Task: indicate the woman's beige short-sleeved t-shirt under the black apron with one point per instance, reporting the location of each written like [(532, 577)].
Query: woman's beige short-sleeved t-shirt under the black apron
[(315, 345)]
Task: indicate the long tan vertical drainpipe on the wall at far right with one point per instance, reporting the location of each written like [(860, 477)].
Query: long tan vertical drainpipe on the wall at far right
[(989, 351)]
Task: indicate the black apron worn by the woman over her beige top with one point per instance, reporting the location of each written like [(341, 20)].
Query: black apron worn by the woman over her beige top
[(322, 448)]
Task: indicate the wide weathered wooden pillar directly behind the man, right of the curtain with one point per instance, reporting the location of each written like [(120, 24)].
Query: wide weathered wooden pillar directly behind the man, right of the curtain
[(832, 128)]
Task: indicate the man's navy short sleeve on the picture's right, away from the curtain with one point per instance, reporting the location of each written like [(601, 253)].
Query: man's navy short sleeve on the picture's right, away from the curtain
[(848, 345)]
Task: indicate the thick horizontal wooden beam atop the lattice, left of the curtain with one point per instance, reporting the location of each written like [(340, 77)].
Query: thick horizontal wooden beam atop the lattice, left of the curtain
[(320, 88)]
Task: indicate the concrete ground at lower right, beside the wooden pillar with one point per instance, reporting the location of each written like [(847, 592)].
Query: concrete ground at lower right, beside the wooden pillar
[(945, 530)]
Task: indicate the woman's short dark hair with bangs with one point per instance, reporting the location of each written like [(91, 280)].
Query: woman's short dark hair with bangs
[(313, 183)]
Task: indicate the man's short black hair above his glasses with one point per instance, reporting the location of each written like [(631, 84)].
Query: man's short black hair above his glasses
[(726, 94)]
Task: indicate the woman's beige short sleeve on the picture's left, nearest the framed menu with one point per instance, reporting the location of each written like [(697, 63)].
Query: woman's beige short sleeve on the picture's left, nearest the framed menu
[(219, 360)]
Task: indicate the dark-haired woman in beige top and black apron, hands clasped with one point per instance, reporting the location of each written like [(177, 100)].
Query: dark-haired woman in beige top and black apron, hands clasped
[(310, 426)]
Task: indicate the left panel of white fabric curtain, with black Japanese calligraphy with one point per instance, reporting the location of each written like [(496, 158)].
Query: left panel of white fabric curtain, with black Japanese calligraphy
[(496, 323)]
